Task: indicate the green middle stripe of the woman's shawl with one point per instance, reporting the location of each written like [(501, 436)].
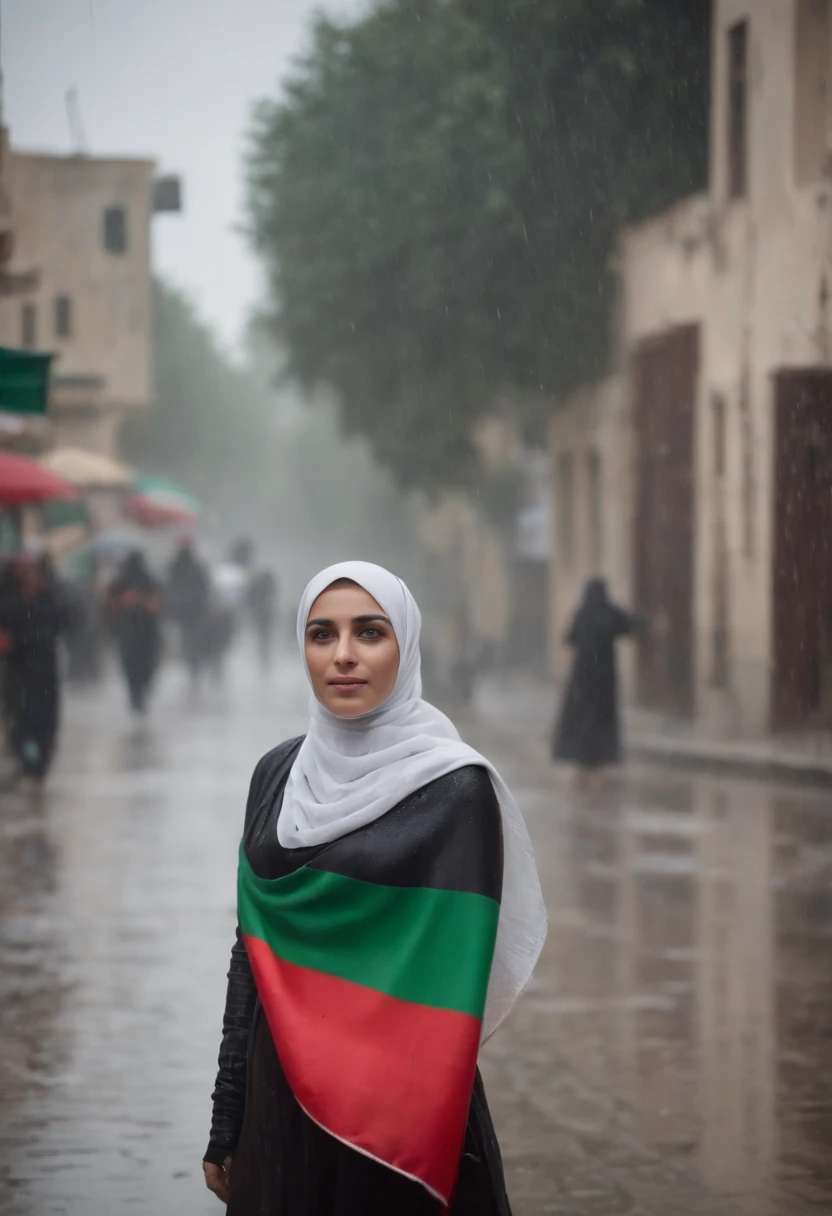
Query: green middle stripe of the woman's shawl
[(418, 944)]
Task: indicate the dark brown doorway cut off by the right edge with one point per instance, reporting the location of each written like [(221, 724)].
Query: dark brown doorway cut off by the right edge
[(802, 694)]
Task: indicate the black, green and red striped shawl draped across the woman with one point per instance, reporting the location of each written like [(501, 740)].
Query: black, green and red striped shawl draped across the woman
[(374, 988)]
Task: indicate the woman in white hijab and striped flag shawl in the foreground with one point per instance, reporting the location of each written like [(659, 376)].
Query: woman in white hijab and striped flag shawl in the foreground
[(390, 916)]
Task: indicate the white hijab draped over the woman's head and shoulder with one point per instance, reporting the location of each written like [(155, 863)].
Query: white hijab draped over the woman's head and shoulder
[(352, 772)]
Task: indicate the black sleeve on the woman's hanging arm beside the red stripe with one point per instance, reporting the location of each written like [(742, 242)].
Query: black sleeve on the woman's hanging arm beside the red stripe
[(229, 1096)]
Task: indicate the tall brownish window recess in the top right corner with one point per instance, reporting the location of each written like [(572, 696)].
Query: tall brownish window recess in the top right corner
[(812, 67)]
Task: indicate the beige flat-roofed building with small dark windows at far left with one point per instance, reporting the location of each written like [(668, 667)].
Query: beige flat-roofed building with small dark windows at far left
[(82, 237)]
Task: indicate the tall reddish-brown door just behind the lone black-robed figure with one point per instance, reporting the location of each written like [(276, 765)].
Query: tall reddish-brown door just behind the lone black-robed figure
[(666, 376)]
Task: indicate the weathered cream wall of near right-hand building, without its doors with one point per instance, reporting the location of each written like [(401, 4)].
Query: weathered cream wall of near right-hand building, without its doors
[(756, 274)]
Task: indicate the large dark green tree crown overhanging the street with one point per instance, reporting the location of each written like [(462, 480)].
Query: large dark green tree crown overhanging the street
[(437, 196)]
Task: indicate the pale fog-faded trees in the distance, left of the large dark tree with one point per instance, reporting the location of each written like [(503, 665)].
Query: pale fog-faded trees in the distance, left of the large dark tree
[(260, 463)]
